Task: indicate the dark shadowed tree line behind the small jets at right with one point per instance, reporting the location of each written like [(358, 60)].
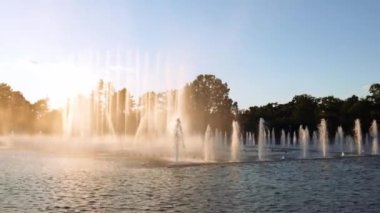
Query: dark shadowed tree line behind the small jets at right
[(308, 111)]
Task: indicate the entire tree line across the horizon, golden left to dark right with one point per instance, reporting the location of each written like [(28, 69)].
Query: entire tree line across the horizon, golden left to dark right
[(205, 101)]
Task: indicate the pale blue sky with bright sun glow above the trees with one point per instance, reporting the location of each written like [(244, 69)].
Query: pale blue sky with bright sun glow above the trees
[(267, 51)]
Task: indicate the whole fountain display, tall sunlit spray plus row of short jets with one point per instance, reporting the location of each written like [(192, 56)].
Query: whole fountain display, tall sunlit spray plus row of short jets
[(104, 117)]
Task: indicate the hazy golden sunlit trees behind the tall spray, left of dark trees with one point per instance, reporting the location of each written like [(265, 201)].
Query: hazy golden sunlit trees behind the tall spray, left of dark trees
[(205, 101)]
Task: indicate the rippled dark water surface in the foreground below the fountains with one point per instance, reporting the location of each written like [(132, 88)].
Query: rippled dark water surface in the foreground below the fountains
[(34, 182)]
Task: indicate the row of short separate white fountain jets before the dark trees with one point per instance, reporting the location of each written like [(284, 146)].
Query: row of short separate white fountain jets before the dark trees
[(317, 142)]
